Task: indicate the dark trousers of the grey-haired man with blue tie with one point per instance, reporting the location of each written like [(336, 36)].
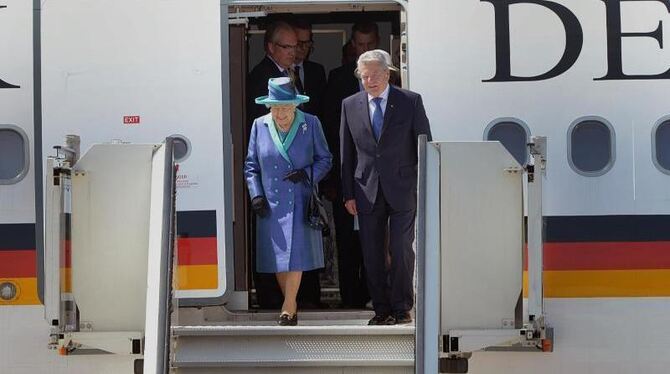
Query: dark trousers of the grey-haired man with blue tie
[(391, 288)]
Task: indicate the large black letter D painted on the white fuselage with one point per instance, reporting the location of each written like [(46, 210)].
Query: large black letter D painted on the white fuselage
[(574, 38)]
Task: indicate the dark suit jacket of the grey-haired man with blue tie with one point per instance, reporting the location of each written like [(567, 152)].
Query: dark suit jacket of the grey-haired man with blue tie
[(391, 163)]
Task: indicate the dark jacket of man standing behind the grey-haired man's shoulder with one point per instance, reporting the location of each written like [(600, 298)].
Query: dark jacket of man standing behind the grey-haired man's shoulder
[(341, 84)]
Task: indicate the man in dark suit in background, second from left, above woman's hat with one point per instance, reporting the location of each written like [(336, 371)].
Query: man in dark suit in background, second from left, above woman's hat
[(312, 75)]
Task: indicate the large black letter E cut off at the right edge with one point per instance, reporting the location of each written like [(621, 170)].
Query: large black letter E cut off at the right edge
[(615, 35)]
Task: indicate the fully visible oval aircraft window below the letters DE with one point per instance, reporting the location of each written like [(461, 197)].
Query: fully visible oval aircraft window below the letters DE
[(591, 146)]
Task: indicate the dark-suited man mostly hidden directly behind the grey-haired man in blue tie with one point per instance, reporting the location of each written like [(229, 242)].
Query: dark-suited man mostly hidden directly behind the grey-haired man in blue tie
[(342, 83)]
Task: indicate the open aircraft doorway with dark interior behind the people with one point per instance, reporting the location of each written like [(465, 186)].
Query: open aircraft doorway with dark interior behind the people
[(330, 47)]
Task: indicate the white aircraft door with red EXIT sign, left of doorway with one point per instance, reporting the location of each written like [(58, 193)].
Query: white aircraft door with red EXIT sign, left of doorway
[(136, 74)]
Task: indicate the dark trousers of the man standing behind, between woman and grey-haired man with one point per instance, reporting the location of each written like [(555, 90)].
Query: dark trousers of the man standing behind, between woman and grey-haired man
[(351, 273)]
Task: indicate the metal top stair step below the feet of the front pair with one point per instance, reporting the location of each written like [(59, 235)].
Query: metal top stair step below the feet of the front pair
[(314, 344)]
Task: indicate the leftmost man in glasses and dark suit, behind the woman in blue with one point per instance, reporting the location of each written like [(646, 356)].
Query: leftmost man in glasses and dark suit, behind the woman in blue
[(281, 44)]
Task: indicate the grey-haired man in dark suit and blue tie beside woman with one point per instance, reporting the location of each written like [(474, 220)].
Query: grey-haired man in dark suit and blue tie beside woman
[(379, 132)]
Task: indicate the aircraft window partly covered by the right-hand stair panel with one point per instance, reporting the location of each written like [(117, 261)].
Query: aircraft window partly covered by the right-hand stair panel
[(513, 134)]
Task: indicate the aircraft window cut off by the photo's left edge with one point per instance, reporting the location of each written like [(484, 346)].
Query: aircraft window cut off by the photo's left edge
[(13, 154)]
